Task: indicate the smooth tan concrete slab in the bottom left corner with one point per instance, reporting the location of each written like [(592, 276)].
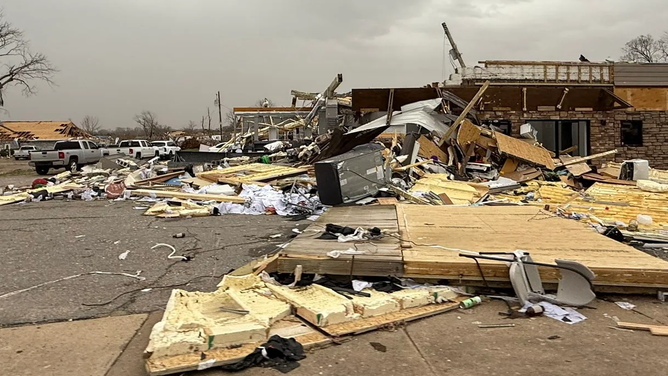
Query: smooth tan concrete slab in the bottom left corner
[(86, 347)]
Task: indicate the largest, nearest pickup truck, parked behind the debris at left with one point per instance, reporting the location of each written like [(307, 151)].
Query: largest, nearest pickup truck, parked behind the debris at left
[(72, 155)]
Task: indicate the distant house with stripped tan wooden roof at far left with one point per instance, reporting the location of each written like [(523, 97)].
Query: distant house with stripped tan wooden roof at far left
[(39, 133)]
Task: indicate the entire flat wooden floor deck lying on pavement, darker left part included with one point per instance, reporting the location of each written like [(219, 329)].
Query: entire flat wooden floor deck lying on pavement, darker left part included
[(481, 229)]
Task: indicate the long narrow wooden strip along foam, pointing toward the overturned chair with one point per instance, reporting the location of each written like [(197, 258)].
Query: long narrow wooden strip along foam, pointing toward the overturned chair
[(372, 323)]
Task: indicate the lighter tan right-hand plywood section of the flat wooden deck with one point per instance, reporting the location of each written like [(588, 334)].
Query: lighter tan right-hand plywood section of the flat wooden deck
[(506, 229)]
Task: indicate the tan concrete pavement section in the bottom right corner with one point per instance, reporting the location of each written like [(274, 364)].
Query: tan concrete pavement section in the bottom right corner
[(453, 344)]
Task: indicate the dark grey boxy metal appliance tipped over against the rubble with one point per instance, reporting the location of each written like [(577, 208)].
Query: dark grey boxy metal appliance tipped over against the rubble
[(351, 176)]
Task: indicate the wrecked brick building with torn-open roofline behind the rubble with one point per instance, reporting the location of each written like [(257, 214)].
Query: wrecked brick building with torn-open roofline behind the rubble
[(582, 107)]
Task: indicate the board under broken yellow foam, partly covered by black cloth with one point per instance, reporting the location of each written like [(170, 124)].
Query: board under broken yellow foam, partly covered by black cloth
[(290, 327)]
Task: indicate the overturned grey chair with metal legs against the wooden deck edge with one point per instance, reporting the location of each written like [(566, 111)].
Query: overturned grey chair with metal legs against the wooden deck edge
[(575, 286)]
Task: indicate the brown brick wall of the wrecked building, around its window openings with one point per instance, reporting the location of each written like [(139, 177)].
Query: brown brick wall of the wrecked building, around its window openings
[(605, 131)]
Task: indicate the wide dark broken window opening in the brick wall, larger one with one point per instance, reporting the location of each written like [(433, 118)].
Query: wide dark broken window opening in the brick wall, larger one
[(558, 135)]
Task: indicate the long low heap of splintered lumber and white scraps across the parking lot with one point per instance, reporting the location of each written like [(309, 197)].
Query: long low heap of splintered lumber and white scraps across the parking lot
[(204, 190)]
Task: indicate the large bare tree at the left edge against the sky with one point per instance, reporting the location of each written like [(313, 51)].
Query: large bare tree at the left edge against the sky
[(20, 67)]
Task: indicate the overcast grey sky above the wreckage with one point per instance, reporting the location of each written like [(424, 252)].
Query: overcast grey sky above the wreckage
[(117, 58)]
